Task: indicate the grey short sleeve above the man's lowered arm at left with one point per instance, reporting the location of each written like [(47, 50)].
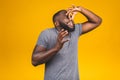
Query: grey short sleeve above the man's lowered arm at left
[(43, 39)]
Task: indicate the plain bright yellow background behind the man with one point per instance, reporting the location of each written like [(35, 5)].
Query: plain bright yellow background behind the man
[(21, 21)]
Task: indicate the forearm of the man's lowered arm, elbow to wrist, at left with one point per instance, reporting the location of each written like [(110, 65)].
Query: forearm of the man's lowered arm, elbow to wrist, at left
[(43, 57)]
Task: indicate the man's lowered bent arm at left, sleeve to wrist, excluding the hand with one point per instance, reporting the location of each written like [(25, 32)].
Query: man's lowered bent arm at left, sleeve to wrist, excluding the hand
[(42, 55)]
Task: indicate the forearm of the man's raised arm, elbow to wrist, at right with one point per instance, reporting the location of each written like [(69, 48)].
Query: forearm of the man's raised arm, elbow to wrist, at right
[(93, 18)]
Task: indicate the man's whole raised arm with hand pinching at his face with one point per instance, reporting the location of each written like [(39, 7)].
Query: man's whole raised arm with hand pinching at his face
[(92, 22)]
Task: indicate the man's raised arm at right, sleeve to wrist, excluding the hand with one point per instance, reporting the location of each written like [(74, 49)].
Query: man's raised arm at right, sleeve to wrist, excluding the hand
[(93, 20)]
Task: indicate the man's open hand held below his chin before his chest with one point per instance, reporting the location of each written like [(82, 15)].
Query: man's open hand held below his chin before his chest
[(60, 39)]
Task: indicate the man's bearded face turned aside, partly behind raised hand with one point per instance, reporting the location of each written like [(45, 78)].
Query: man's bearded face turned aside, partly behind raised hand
[(66, 23)]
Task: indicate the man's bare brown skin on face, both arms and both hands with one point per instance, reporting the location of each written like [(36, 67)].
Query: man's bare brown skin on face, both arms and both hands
[(42, 55)]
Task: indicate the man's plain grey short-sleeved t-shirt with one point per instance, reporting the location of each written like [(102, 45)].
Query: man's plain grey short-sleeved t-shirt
[(64, 64)]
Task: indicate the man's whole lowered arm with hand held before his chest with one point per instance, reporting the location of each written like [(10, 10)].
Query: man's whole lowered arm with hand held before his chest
[(42, 55)]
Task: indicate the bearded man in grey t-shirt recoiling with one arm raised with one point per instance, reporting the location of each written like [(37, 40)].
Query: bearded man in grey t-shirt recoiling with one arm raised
[(57, 47)]
